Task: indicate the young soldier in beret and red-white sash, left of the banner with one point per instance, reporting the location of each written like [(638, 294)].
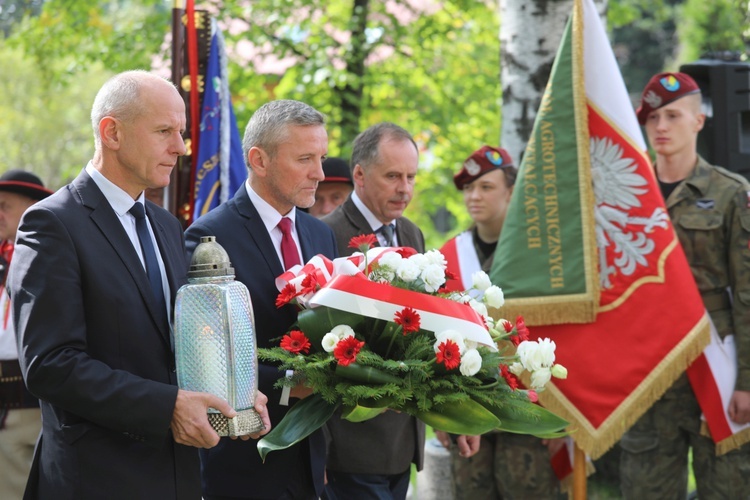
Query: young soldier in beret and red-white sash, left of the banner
[(508, 466)]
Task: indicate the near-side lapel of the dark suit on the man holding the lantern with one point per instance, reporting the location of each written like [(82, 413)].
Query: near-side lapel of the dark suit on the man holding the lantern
[(104, 217)]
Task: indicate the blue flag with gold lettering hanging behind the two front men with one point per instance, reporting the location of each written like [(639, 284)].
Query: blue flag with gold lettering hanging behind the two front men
[(220, 168)]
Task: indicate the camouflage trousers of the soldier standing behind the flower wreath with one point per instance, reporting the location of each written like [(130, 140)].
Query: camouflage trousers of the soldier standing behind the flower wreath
[(507, 466)]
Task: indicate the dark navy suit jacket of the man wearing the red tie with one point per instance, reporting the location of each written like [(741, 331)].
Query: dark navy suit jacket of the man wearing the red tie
[(234, 468)]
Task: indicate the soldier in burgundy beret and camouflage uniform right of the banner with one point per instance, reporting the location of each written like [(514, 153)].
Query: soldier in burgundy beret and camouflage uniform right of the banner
[(709, 208)]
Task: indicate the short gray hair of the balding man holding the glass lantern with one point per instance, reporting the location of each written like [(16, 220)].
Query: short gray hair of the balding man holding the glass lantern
[(120, 97)]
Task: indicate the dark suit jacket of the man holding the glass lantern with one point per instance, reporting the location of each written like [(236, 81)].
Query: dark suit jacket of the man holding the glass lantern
[(95, 354)]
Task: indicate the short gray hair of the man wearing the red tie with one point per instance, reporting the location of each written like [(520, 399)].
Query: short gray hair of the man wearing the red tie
[(268, 126)]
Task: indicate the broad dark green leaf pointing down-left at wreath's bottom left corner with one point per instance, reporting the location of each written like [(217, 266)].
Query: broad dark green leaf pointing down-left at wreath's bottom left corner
[(304, 418)]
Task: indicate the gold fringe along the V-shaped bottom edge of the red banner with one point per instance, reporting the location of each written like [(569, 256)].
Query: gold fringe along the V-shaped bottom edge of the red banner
[(596, 441)]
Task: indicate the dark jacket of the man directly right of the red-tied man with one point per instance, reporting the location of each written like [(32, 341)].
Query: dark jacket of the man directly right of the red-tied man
[(392, 440)]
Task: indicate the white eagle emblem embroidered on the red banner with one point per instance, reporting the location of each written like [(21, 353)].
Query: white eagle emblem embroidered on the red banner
[(617, 185)]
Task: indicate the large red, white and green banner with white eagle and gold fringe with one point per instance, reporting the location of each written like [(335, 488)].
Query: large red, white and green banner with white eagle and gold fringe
[(650, 322)]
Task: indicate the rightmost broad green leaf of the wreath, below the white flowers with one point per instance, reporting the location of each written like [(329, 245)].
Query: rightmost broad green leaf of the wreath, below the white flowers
[(528, 418)]
